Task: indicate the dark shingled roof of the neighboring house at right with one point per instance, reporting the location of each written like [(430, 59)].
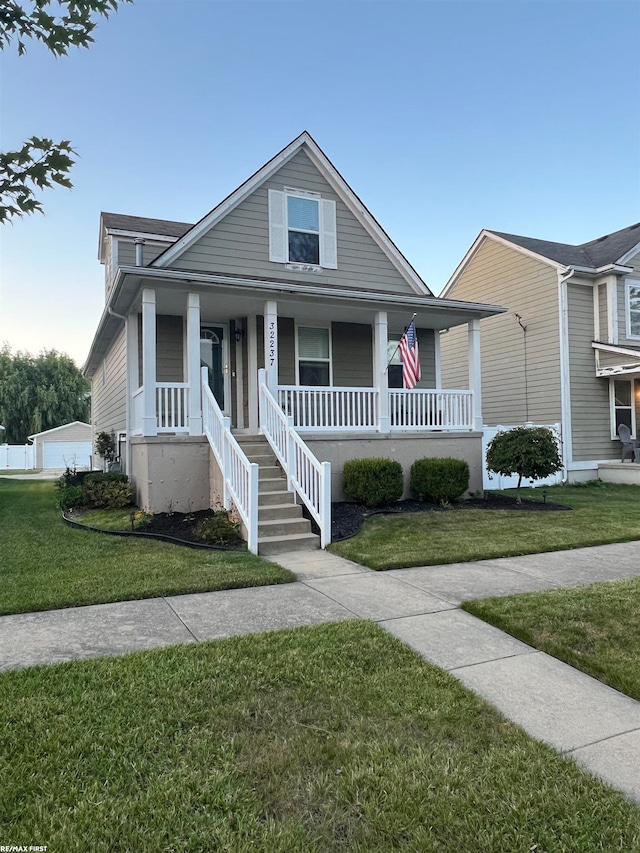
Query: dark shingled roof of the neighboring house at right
[(594, 254)]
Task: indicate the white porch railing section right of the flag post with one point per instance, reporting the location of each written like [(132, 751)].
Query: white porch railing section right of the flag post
[(420, 409)]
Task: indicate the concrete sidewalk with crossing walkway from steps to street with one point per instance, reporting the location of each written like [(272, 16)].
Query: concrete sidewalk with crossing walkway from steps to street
[(553, 702)]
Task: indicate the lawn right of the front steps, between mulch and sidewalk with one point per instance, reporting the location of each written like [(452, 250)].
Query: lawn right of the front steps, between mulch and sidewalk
[(601, 514)]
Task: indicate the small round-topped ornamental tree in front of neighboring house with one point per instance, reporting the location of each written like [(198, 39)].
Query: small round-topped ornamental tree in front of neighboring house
[(529, 452)]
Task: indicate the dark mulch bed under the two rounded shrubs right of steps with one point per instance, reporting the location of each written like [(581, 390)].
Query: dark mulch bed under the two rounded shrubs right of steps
[(347, 518)]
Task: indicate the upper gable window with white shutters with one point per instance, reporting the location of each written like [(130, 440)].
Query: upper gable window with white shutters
[(302, 230)]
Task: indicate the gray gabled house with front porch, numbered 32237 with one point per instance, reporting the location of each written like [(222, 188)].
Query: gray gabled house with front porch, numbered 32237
[(248, 354)]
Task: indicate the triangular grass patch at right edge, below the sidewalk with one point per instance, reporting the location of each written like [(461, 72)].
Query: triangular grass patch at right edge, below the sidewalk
[(595, 628)]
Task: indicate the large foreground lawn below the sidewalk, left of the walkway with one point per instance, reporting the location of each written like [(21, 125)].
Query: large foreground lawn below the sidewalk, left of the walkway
[(332, 738)]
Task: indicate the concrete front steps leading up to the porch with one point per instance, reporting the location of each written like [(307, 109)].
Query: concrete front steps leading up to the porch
[(281, 525)]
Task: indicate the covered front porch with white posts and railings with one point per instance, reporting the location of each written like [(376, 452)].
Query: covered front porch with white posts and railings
[(253, 341)]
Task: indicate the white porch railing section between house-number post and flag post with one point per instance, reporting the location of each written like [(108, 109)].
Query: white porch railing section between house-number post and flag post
[(327, 408)]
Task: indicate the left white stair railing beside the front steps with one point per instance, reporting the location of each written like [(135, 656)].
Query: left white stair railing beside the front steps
[(240, 476)]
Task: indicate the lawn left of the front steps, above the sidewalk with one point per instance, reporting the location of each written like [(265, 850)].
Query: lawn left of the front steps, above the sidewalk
[(45, 564)]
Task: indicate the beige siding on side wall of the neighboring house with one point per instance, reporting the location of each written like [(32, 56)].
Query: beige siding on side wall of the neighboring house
[(499, 275)]
